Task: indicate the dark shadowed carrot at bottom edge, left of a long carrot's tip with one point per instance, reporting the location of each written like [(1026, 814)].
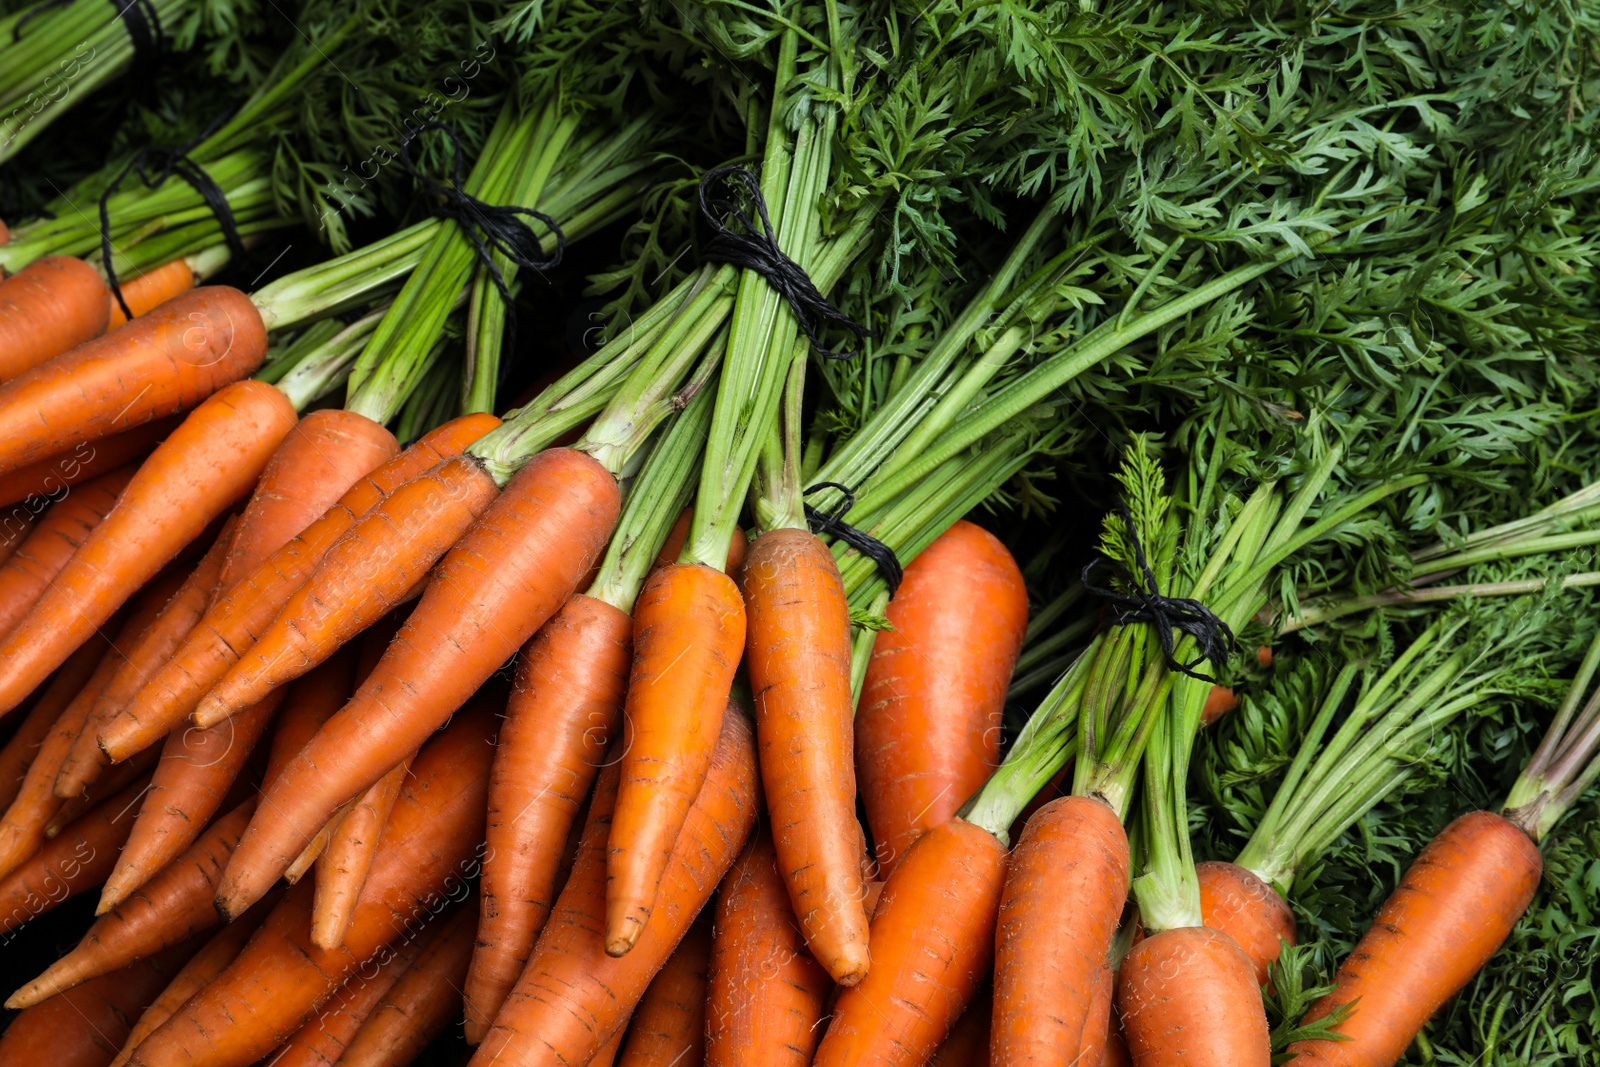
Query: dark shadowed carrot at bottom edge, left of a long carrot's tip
[(423, 1002)]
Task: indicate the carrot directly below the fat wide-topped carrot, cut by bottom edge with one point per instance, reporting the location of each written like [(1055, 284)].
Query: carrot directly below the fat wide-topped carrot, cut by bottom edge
[(934, 940)]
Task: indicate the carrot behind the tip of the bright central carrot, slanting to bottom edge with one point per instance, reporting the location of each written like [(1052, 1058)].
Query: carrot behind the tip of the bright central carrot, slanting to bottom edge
[(575, 997)]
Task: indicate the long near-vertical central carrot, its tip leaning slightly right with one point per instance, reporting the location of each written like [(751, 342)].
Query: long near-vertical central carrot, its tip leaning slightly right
[(798, 653)]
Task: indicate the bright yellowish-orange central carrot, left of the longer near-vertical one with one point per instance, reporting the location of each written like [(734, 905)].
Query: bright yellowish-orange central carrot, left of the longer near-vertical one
[(689, 637)]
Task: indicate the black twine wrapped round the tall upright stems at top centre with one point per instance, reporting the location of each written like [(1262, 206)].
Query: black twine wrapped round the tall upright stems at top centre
[(758, 249)]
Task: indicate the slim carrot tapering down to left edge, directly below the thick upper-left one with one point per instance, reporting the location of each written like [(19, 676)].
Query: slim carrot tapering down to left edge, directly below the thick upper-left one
[(198, 474)]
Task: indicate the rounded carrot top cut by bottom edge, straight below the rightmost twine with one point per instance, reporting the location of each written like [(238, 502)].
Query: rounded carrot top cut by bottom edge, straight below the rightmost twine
[(1188, 997)]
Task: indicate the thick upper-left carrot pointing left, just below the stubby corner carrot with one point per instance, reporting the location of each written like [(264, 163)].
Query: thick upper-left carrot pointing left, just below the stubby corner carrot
[(164, 364)]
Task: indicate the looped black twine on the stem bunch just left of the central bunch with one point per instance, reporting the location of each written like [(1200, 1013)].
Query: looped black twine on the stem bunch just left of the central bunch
[(490, 228)]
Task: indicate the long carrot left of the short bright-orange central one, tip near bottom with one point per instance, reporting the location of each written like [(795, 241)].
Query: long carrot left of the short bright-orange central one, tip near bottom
[(564, 711)]
